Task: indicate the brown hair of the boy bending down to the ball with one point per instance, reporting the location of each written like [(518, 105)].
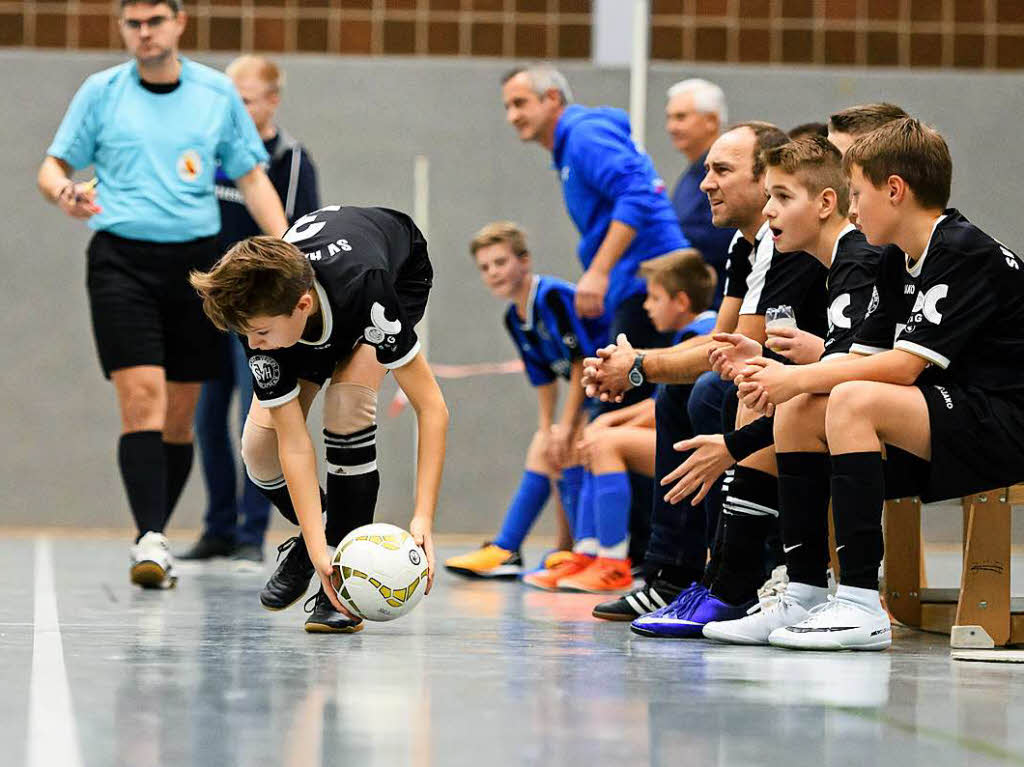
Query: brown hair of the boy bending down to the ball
[(259, 277)]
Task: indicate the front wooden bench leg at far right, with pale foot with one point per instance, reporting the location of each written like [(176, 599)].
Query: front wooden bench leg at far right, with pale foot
[(984, 611)]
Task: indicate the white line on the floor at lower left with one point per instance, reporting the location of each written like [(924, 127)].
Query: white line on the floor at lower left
[(53, 734)]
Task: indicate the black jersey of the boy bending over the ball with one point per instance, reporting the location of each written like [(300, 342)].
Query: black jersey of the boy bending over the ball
[(364, 260)]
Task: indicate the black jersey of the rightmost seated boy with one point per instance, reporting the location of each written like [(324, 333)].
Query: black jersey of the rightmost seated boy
[(960, 307)]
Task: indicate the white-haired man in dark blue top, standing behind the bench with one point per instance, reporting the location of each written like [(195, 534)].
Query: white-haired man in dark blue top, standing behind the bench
[(695, 115)]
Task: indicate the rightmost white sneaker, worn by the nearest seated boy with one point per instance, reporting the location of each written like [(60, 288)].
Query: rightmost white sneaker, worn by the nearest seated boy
[(854, 620)]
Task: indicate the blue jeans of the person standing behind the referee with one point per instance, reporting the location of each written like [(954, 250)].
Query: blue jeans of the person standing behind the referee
[(229, 517)]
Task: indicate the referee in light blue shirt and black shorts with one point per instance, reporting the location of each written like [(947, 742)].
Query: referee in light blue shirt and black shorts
[(155, 130)]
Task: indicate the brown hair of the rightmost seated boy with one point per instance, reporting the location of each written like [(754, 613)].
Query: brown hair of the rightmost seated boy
[(911, 150)]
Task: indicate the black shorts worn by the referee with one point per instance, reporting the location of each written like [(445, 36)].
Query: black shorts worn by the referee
[(146, 313)]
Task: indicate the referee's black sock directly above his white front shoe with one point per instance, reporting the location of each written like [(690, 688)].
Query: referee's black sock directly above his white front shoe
[(144, 472)]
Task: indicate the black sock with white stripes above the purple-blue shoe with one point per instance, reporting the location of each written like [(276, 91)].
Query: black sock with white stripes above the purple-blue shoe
[(751, 515)]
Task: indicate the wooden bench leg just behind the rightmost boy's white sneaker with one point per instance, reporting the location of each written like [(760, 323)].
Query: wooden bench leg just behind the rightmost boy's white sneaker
[(903, 565)]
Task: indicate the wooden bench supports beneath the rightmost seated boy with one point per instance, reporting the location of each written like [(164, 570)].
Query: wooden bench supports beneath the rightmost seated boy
[(980, 614)]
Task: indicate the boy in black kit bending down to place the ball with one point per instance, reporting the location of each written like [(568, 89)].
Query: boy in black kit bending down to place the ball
[(335, 301)]
